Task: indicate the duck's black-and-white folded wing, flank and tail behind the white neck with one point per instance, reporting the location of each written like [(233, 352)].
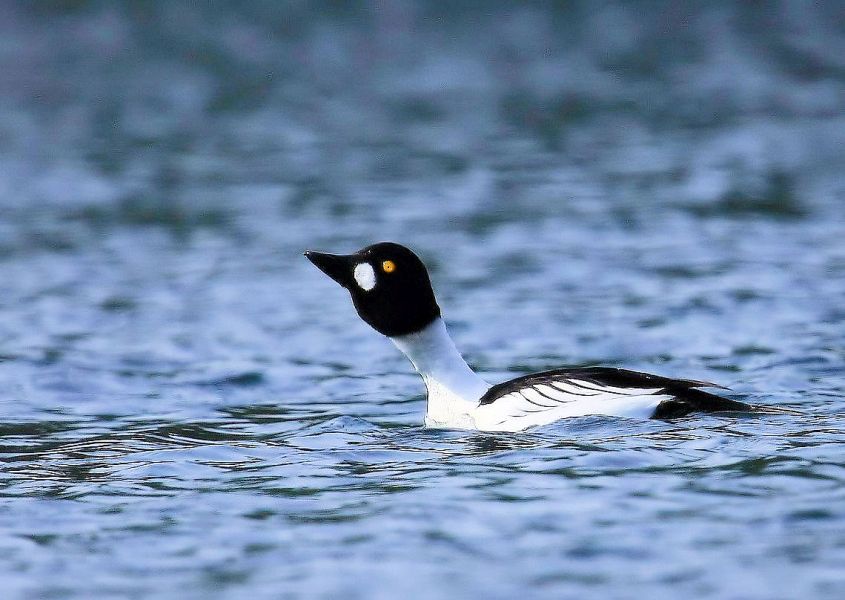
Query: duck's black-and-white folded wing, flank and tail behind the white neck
[(545, 397)]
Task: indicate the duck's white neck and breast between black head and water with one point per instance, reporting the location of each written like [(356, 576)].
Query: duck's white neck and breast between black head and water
[(453, 388)]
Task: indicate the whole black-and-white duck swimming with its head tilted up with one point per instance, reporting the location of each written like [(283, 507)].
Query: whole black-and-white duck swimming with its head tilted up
[(392, 292)]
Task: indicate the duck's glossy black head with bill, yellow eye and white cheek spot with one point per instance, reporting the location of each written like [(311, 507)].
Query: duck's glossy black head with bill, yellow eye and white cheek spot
[(389, 285)]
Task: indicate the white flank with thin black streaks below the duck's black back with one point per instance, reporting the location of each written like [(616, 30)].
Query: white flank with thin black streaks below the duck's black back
[(546, 402)]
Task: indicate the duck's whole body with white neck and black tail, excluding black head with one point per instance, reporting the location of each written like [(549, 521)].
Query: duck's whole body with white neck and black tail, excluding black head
[(459, 399)]
